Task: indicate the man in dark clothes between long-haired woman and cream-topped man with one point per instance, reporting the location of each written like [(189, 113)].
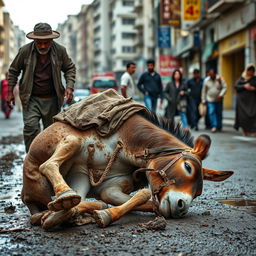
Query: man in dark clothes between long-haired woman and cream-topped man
[(194, 86)]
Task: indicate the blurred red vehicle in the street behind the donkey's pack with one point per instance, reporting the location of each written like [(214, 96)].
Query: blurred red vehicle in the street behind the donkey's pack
[(103, 81)]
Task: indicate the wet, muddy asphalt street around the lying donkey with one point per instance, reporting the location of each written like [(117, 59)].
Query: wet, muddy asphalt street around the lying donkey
[(210, 227)]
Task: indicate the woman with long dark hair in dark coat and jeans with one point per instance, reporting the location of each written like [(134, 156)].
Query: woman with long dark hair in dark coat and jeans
[(176, 94)]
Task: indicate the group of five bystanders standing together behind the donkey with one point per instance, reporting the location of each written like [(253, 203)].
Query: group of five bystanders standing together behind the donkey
[(183, 96)]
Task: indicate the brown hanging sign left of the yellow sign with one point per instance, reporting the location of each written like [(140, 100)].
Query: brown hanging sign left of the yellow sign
[(170, 12)]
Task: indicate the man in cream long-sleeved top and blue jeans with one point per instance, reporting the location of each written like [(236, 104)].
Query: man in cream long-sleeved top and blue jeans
[(213, 91)]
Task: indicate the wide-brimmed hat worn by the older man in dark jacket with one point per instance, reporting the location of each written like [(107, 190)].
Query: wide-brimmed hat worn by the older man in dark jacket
[(43, 31)]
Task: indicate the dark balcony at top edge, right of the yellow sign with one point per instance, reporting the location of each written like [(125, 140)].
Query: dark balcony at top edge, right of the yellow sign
[(221, 5)]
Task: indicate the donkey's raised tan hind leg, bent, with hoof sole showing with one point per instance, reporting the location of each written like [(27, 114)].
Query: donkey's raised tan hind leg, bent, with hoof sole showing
[(66, 198)]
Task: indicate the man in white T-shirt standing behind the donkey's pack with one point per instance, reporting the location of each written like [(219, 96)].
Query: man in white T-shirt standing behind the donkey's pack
[(127, 83)]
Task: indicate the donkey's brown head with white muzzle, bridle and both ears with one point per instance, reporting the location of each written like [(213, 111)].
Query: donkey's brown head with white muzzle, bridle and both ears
[(175, 180)]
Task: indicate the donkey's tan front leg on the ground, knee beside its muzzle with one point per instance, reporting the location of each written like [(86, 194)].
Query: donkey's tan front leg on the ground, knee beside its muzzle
[(107, 216)]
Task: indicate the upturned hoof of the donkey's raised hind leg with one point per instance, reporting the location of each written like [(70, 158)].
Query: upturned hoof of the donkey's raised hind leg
[(64, 201)]
